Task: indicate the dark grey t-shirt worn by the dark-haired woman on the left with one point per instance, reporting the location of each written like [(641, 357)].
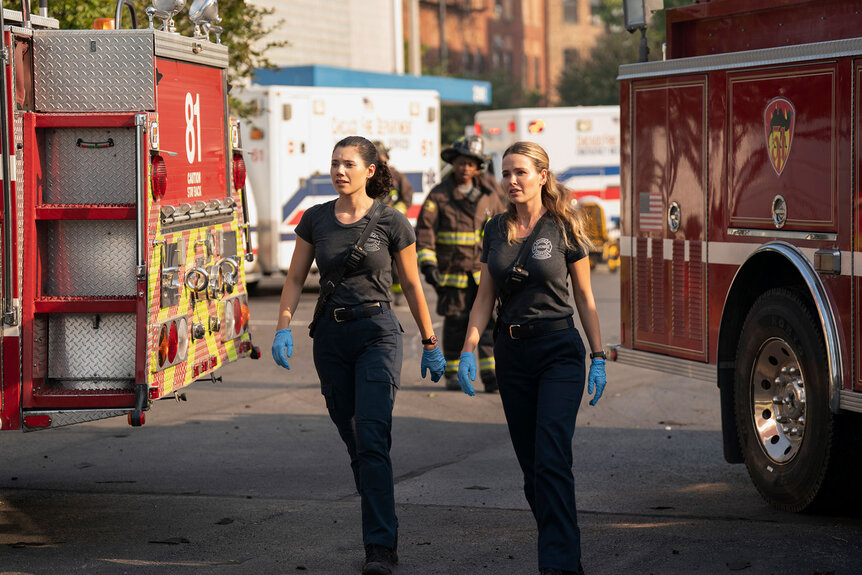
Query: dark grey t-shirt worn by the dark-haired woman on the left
[(372, 280)]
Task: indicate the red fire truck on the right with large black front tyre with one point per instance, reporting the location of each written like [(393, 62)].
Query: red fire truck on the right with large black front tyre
[(741, 212)]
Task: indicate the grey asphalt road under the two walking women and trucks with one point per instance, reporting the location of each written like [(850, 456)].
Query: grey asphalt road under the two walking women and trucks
[(249, 476)]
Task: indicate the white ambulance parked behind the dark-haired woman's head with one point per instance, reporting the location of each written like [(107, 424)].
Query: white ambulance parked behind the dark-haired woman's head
[(288, 148)]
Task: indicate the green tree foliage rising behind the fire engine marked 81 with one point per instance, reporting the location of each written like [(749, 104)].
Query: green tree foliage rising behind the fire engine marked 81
[(244, 31)]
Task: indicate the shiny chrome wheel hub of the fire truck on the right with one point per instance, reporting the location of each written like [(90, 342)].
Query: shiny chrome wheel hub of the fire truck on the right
[(778, 400)]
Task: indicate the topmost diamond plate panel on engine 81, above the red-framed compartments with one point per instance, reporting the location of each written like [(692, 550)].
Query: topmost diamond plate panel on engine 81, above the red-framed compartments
[(94, 70)]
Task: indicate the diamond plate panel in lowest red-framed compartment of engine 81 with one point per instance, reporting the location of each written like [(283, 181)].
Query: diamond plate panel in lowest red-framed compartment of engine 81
[(97, 350)]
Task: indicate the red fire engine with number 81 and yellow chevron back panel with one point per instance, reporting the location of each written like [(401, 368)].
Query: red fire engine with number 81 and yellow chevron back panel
[(123, 228)]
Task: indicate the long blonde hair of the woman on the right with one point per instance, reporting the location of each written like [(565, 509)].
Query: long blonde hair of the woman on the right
[(555, 199)]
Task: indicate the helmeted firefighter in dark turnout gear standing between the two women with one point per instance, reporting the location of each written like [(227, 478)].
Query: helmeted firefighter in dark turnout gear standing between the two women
[(449, 243)]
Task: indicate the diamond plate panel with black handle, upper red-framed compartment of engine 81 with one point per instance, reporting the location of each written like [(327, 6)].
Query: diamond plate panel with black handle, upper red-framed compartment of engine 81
[(77, 175)]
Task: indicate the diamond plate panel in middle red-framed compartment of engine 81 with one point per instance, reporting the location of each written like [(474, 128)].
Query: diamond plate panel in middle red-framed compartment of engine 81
[(90, 258)]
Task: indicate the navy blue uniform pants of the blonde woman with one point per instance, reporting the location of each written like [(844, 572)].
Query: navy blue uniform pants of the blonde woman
[(541, 383)]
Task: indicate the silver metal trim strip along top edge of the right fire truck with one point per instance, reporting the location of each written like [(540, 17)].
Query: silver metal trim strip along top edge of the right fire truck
[(746, 59)]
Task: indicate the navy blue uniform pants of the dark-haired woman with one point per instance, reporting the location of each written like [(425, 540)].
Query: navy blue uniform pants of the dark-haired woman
[(359, 365)]
